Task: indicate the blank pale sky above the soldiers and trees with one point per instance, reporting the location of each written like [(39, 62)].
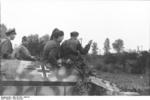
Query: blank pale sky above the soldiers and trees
[(94, 19)]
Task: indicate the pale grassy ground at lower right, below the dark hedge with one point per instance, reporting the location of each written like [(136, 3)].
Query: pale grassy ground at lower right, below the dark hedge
[(128, 82)]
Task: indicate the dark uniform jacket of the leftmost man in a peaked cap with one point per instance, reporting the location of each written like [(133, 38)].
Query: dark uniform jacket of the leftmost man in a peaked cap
[(5, 48)]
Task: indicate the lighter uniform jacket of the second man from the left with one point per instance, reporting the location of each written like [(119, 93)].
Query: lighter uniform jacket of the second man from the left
[(22, 53)]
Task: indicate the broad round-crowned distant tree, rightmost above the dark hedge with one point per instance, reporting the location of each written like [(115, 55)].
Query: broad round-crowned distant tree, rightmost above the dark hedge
[(118, 45)]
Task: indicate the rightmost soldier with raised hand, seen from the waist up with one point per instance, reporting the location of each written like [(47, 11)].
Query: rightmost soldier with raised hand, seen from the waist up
[(73, 47)]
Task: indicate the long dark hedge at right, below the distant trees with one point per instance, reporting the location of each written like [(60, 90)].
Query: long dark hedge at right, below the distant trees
[(129, 62)]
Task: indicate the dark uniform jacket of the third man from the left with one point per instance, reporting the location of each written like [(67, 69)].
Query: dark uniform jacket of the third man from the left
[(51, 52)]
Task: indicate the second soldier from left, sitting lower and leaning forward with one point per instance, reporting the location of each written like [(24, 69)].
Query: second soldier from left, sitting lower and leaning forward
[(22, 53)]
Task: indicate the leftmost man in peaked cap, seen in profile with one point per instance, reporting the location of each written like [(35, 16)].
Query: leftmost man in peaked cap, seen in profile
[(6, 45)]
